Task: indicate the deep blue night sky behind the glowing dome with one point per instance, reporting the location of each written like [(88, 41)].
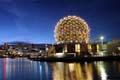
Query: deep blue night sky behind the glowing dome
[(34, 20)]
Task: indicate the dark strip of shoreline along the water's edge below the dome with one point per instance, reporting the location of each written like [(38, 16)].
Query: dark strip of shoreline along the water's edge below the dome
[(77, 59)]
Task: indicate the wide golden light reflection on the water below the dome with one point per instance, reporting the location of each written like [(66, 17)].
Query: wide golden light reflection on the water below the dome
[(72, 71)]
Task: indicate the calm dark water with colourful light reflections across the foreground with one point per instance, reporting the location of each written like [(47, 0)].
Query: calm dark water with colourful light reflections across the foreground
[(24, 69)]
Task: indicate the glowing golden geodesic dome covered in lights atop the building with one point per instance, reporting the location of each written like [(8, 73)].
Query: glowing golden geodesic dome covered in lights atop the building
[(71, 29)]
